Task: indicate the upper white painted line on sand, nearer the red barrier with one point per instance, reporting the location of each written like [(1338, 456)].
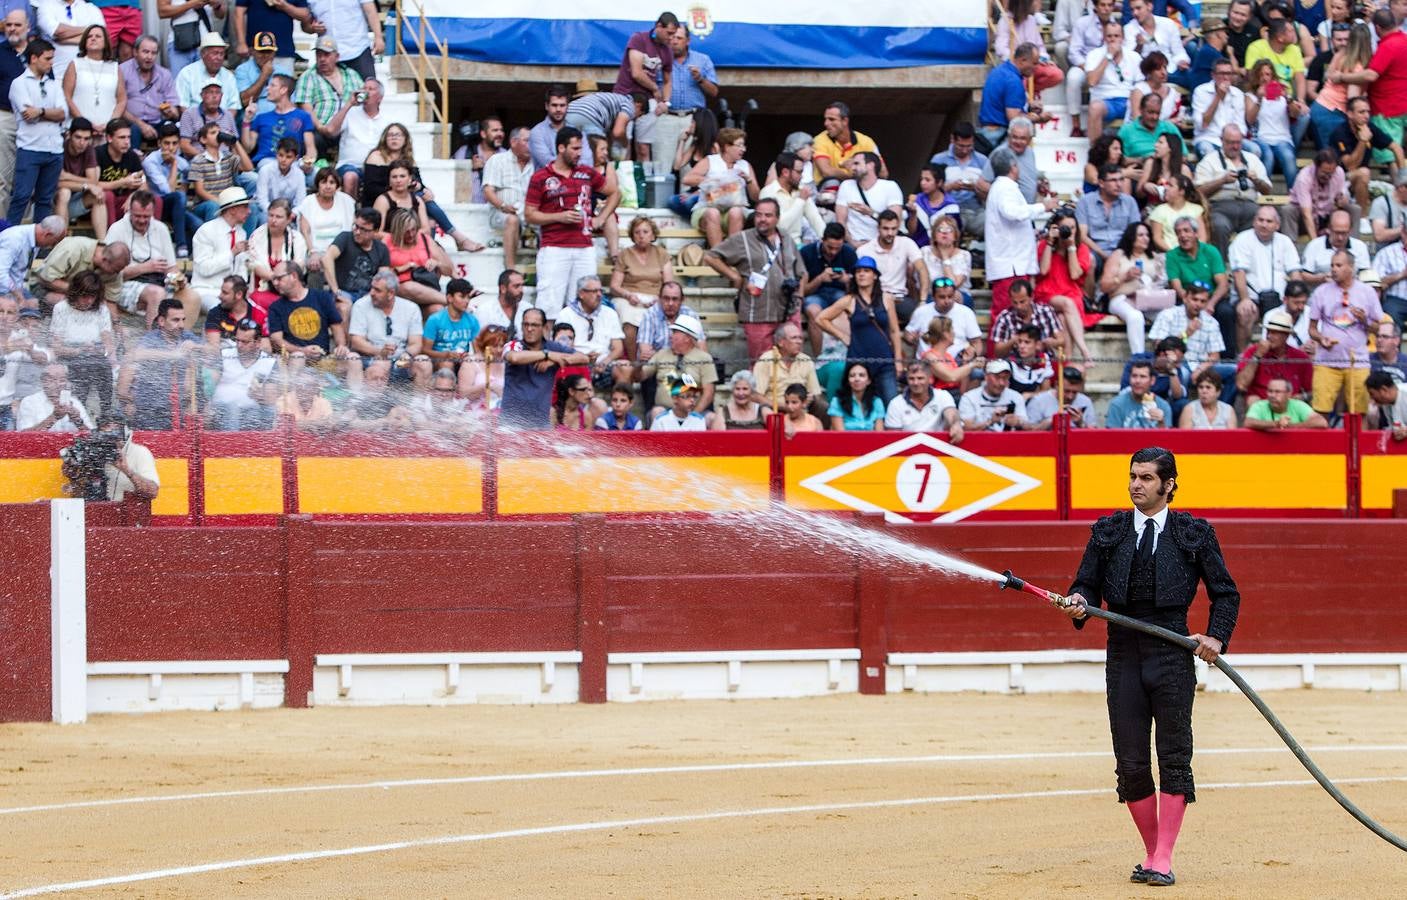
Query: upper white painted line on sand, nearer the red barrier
[(672, 770)]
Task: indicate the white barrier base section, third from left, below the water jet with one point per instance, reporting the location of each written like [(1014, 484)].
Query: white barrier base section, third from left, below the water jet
[(722, 676)]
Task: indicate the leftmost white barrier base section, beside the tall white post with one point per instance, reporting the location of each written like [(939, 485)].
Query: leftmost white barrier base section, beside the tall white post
[(154, 687)]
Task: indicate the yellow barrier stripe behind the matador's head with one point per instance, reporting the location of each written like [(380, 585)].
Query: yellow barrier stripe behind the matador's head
[(1221, 482)]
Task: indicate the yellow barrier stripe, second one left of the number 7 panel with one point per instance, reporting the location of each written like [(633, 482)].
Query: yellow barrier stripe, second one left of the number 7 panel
[(390, 486)]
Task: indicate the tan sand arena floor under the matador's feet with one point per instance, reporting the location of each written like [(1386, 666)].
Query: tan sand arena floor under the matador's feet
[(900, 797)]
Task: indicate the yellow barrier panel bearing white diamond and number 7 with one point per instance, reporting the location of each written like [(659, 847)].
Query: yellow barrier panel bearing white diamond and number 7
[(879, 484)]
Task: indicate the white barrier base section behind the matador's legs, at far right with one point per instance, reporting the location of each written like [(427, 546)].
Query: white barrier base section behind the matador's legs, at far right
[(1084, 671)]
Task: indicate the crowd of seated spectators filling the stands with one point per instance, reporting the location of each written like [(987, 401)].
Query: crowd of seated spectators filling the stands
[(233, 238)]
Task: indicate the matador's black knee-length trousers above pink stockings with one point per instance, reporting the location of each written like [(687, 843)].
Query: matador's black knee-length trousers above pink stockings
[(1150, 681)]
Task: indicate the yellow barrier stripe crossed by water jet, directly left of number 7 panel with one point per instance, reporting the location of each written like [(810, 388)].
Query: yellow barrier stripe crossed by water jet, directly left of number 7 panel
[(632, 484)]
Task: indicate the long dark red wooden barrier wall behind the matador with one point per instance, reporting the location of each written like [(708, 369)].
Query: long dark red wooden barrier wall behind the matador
[(600, 586)]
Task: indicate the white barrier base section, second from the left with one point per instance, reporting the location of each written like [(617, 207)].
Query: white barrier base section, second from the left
[(445, 679)]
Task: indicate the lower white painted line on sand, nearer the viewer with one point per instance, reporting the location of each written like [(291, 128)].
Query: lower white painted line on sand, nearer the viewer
[(609, 825)]
